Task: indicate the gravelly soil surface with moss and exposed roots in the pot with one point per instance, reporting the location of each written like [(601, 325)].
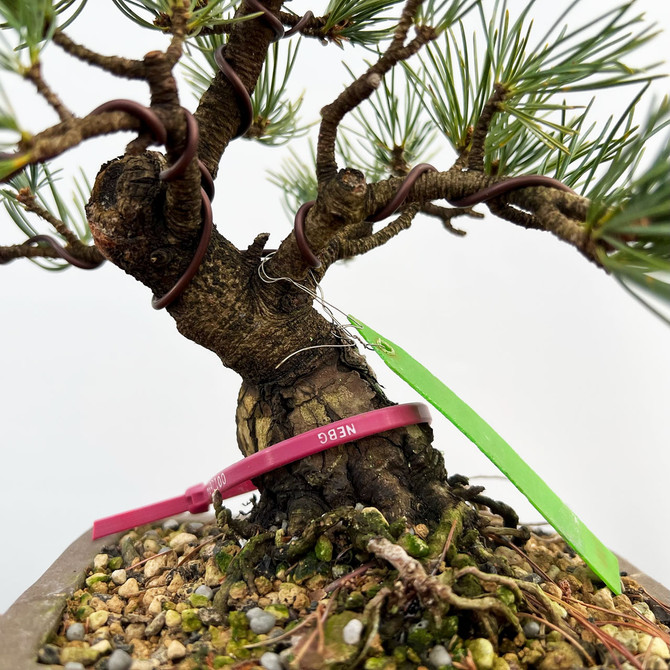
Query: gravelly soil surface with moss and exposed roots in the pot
[(352, 591)]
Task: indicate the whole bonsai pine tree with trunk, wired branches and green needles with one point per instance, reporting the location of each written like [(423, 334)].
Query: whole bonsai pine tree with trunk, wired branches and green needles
[(514, 108)]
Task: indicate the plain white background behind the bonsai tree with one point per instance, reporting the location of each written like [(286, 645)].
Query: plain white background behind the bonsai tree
[(105, 407)]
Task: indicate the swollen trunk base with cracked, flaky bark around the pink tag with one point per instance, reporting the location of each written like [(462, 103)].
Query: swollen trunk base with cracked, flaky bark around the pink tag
[(398, 471)]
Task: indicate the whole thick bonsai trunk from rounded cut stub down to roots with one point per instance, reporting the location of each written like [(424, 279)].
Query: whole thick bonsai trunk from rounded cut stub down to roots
[(253, 325)]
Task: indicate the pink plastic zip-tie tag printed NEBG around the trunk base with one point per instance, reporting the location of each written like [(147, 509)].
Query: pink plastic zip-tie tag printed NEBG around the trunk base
[(236, 479)]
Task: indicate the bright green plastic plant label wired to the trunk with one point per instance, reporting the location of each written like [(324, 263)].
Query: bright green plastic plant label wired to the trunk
[(600, 559)]
